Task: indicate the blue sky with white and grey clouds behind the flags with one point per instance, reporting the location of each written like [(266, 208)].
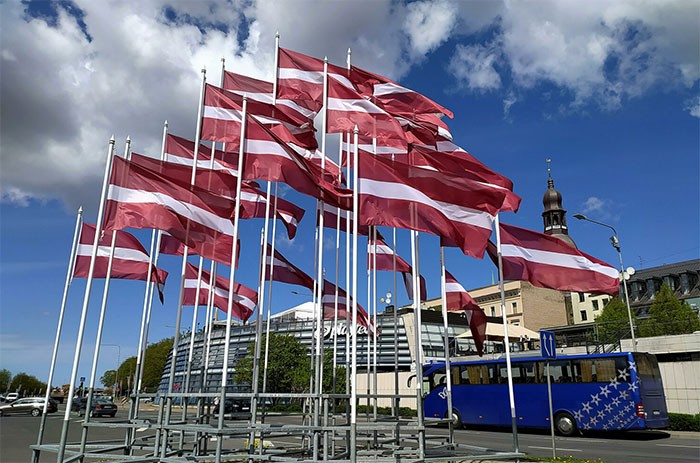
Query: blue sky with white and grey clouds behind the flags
[(608, 90)]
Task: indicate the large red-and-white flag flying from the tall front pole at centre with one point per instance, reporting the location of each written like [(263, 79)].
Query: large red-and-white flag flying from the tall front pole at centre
[(459, 210)]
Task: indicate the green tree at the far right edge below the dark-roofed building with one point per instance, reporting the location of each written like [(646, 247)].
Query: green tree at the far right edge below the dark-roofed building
[(668, 315)]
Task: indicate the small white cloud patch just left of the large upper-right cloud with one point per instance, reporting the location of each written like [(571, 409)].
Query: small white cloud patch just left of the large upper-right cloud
[(474, 67)]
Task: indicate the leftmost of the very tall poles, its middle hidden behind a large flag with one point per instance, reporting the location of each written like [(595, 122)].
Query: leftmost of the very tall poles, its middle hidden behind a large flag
[(178, 320)]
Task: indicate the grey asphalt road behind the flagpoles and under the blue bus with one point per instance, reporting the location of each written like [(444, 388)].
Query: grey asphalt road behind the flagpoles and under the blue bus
[(17, 433)]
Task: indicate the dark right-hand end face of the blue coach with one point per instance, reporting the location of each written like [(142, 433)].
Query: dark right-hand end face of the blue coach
[(645, 372)]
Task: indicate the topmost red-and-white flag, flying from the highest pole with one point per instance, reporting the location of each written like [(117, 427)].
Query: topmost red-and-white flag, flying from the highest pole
[(300, 76)]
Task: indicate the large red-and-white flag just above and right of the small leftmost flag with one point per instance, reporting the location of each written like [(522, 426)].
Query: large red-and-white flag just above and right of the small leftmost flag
[(141, 198)]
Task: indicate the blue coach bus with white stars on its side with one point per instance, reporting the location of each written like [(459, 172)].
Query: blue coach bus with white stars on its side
[(605, 392)]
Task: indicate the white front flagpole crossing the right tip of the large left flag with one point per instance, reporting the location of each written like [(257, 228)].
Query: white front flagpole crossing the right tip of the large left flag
[(234, 250)]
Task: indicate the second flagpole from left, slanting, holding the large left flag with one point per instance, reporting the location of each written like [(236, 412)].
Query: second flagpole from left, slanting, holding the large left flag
[(86, 301)]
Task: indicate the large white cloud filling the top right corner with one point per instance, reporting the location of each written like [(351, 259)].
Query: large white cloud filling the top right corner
[(602, 52)]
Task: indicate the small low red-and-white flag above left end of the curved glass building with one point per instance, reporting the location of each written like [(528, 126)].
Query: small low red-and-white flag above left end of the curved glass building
[(244, 298)]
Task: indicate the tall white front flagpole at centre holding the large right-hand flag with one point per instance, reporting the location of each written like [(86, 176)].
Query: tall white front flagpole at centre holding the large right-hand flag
[(353, 363)]
